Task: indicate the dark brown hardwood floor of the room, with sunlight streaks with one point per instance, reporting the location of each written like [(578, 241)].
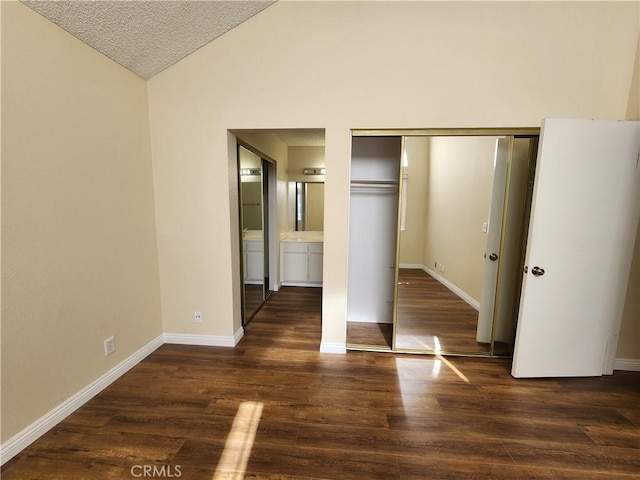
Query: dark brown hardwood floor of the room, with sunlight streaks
[(276, 408)]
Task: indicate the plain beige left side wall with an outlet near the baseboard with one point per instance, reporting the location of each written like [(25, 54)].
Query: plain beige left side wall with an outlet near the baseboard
[(79, 257)]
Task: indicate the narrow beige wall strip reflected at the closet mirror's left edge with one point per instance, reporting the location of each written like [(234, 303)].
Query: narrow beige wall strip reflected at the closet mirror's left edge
[(416, 172)]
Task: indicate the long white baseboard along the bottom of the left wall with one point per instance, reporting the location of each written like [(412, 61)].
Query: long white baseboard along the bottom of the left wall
[(26, 437)]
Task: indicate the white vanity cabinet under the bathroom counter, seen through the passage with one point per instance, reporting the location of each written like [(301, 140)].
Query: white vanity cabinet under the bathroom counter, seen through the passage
[(301, 263)]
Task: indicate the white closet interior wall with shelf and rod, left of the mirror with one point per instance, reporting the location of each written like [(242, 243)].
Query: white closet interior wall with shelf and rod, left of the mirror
[(373, 225)]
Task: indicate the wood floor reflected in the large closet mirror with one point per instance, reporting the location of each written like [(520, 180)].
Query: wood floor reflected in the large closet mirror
[(432, 317)]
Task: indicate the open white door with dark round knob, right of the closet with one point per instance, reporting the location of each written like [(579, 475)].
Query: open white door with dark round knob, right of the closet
[(584, 186)]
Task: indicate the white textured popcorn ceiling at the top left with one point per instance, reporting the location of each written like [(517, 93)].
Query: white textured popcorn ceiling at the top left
[(150, 35)]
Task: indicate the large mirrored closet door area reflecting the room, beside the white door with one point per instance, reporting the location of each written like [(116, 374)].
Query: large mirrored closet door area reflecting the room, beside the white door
[(452, 262)]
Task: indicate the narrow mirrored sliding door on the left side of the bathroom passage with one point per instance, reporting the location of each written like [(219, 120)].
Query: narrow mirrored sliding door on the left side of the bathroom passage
[(251, 215)]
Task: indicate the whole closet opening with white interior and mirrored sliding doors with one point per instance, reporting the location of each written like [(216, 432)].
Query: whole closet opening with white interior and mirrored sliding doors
[(437, 229)]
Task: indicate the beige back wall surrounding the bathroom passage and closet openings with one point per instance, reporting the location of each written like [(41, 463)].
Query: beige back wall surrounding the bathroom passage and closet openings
[(480, 64)]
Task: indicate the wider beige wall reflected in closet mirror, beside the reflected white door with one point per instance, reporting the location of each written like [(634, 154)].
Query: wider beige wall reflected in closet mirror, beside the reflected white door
[(459, 198)]
